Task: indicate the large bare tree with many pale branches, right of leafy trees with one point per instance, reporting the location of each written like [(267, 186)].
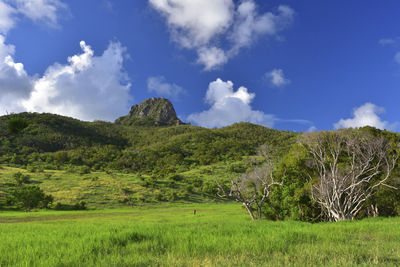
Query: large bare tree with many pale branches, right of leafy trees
[(350, 167)]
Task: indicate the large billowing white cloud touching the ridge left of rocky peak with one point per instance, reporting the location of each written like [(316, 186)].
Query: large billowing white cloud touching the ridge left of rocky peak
[(88, 87)]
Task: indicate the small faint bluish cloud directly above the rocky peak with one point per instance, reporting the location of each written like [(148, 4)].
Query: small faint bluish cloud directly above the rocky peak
[(161, 87)]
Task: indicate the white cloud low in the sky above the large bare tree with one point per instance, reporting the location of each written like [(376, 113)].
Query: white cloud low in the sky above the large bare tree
[(365, 115)]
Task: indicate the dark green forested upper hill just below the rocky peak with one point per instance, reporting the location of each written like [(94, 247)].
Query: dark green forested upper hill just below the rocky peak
[(53, 141)]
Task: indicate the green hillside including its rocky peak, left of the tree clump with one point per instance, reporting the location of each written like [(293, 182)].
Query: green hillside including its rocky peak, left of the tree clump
[(130, 162)]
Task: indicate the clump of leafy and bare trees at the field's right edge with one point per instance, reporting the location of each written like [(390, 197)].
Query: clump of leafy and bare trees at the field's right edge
[(325, 176)]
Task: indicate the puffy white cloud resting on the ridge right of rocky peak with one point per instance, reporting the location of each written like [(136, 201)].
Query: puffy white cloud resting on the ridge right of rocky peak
[(228, 107)]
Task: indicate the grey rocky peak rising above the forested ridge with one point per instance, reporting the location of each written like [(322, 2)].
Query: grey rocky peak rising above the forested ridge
[(151, 112)]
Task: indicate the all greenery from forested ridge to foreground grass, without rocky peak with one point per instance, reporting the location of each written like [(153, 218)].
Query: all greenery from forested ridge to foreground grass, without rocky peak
[(163, 184)]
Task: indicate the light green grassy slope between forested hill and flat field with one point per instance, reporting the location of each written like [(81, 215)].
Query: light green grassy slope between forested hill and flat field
[(101, 190)]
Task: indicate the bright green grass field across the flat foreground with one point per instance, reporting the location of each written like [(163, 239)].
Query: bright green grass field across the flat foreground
[(170, 235)]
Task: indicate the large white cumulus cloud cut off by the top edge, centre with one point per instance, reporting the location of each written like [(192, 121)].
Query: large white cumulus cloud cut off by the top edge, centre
[(202, 24)]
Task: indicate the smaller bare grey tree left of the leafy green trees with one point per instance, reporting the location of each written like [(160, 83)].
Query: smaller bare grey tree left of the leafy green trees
[(251, 188)]
